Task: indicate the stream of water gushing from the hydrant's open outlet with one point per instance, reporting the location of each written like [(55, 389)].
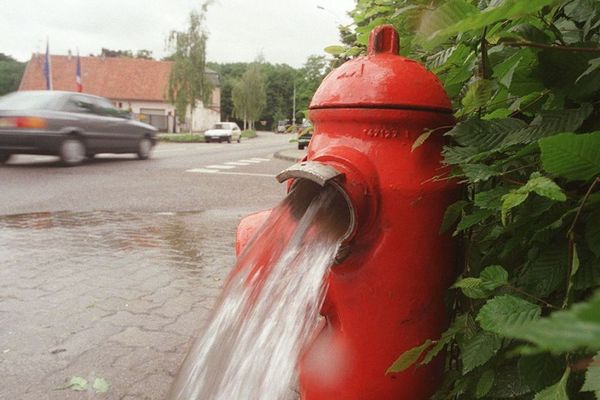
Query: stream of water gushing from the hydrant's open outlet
[(269, 307)]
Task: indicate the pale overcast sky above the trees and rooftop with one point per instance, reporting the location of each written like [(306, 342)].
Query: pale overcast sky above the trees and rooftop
[(283, 31)]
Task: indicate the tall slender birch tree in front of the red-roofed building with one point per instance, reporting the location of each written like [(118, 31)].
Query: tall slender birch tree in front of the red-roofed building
[(188, 82)]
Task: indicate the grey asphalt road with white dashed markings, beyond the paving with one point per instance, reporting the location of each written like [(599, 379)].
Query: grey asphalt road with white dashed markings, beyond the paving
[(163, 183)]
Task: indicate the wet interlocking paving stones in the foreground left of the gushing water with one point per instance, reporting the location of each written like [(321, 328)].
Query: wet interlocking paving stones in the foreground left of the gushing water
[(116, 296)]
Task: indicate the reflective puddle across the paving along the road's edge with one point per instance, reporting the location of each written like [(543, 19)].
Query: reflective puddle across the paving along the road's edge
[(192, 242)]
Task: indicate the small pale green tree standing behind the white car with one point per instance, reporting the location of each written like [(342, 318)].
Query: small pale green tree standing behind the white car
[(249, 96)]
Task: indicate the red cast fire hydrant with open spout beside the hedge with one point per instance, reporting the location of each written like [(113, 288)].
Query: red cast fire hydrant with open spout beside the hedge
[(386, 294)]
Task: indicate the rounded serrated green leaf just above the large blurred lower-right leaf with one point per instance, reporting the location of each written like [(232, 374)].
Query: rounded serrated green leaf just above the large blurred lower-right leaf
[(505, 313)]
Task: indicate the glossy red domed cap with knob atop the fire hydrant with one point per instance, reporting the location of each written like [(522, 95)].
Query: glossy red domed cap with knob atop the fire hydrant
[(382, 79)]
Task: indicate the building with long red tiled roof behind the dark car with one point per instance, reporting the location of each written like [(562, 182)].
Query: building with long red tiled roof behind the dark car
[(133, 84)]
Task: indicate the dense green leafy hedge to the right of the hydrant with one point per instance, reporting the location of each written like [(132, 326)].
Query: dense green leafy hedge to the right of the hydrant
[(524, 77)]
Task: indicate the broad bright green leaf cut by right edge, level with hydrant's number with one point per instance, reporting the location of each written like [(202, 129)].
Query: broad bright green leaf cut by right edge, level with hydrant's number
[(572, 156)]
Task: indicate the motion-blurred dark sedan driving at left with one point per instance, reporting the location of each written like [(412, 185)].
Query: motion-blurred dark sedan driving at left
[(70, 125)]
